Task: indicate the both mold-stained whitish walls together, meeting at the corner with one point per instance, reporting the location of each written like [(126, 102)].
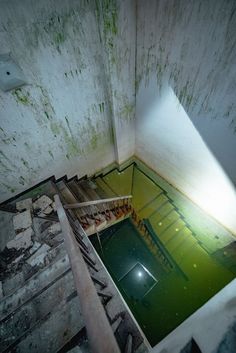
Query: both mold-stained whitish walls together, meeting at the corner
[(91, 64)]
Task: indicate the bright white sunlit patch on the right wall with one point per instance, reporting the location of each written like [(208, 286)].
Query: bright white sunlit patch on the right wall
[(169, 142)]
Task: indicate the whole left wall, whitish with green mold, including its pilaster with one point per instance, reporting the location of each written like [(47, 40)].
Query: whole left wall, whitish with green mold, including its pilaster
[(66, 120)]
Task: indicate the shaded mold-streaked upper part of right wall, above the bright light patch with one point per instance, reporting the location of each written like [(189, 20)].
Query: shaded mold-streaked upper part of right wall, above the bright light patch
[(191, 46)]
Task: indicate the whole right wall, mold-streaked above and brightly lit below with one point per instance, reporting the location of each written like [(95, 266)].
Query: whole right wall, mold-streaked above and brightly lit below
[(185, 79)]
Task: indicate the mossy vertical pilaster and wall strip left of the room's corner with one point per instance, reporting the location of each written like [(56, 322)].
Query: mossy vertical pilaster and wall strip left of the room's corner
[(117, 23)]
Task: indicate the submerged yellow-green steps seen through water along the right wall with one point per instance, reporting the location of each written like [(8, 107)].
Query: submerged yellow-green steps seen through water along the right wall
[(151, 202)]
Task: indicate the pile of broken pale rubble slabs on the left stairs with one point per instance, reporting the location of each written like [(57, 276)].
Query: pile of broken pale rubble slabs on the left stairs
[(37, 242)]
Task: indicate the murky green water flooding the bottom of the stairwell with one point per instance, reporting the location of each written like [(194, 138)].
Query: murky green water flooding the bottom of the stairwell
[(159, 300)]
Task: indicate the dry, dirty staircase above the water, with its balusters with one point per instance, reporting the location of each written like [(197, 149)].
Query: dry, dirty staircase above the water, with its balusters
[(40, 310)]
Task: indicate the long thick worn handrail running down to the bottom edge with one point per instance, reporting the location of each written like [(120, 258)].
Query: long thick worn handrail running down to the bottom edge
[(99, 331)]
